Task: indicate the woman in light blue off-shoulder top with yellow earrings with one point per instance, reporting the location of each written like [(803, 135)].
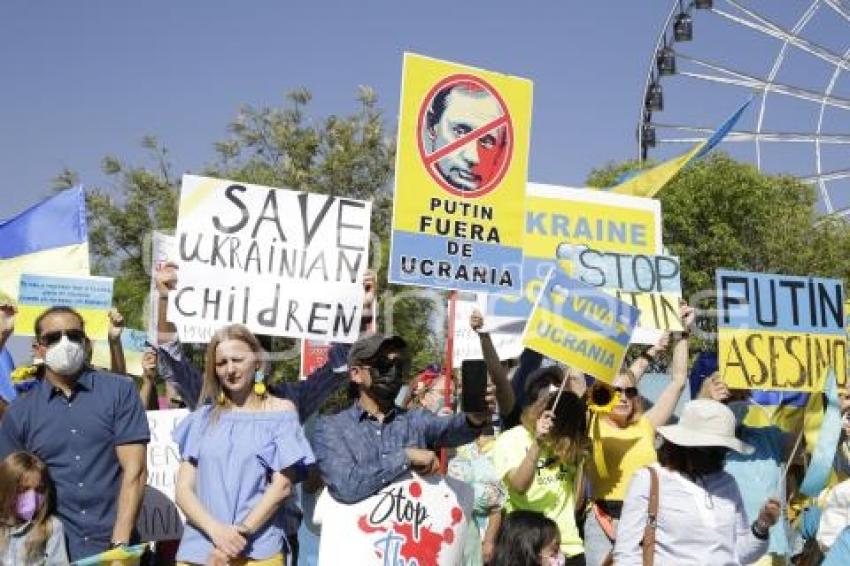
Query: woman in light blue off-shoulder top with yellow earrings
[(241, 453)]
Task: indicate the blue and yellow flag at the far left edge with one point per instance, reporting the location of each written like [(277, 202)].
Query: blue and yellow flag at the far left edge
[(49, 237)]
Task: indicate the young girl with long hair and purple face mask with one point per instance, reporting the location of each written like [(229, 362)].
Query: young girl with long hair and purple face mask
[(29, 534)]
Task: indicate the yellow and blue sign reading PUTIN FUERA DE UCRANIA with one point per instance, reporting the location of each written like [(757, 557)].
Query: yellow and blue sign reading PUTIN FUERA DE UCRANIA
[(460, 177)]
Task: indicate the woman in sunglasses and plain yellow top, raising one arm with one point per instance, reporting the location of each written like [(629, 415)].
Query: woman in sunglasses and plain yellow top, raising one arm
[(623, 442)]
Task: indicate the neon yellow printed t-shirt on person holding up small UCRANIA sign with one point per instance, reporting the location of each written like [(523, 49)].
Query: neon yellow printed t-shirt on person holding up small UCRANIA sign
[(552, 492)]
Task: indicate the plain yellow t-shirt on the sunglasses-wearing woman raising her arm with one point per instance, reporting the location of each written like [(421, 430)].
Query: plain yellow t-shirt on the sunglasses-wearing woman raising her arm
[(626, 450)]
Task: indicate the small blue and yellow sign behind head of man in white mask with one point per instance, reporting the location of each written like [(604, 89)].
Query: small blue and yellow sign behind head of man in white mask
[(88, 295)]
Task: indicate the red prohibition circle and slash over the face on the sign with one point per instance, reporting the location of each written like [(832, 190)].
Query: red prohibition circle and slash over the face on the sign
[(498, 163)]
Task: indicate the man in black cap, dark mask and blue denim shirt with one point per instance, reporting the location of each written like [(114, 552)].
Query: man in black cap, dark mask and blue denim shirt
[(373, 443)]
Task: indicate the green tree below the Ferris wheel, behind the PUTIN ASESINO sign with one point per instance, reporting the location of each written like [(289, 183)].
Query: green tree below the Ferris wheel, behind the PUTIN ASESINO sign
[(721, 213)]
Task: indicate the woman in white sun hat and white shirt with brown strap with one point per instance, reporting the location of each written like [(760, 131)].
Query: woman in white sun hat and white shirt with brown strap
[(701, 517)]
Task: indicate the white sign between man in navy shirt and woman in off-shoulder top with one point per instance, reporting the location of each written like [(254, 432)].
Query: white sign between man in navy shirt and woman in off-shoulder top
[(159, 517)]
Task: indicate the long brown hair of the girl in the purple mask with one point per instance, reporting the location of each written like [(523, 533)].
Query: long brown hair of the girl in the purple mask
[(12, 470)]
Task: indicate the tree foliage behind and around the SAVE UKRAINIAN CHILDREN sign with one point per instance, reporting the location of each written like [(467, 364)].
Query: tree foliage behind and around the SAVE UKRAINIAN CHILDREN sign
[(281, 146)]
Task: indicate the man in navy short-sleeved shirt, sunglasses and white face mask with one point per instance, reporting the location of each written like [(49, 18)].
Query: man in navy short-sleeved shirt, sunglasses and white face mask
[(90, 428)]
